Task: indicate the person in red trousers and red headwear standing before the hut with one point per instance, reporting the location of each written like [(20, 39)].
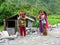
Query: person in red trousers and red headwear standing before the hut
[(22, 23)]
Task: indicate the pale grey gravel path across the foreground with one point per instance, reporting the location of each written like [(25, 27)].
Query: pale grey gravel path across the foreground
[(53, 38)]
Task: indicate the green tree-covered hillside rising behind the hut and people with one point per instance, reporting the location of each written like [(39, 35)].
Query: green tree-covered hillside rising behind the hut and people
[(10, 7)]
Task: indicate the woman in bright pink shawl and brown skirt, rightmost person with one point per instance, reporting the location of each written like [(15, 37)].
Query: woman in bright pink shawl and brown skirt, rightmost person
[(44, 23)]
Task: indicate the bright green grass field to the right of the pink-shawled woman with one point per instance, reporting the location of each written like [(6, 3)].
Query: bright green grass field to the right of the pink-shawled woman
[(54, 19)]
